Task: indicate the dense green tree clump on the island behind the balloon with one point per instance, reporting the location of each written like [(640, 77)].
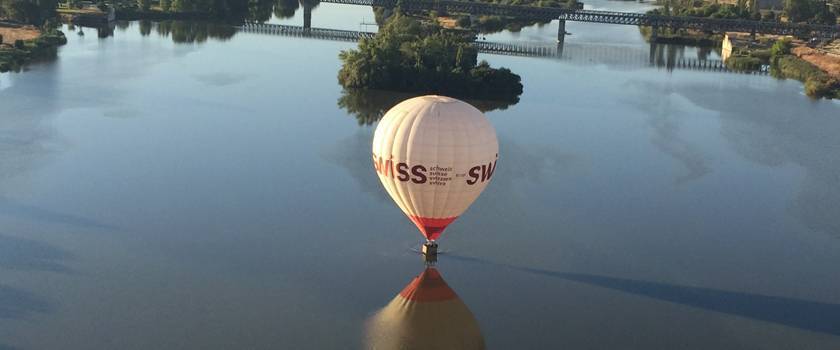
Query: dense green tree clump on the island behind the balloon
[(410, 56)]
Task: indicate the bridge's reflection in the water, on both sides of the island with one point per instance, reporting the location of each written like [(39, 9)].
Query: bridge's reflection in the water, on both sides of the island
[(627, 57)]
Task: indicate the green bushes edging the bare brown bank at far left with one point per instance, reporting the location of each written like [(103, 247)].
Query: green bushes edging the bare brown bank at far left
[(15, 54)]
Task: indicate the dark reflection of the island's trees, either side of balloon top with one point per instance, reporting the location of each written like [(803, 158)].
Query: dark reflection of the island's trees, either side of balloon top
[(368, 106)]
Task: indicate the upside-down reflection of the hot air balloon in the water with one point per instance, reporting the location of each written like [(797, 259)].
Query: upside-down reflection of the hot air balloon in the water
[(426, 315)]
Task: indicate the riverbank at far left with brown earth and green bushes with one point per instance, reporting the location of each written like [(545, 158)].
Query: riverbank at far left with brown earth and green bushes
[(24, 44)]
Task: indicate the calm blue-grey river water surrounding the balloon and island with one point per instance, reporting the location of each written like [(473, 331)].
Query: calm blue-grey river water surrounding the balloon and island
[(212, 193)]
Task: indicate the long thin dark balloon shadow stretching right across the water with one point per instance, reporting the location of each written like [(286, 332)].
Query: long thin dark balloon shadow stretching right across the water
[(802, 314)]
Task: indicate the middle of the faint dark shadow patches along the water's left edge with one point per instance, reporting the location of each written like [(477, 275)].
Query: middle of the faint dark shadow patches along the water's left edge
[(25, 254)]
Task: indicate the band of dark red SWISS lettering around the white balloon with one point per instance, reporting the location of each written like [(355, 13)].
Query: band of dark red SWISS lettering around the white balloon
[(436, 175)]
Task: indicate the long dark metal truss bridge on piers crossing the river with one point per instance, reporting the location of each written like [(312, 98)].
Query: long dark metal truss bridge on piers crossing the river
[(610, 17)]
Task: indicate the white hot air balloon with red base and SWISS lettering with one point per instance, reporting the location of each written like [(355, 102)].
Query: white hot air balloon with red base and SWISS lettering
[(434, 155)]
